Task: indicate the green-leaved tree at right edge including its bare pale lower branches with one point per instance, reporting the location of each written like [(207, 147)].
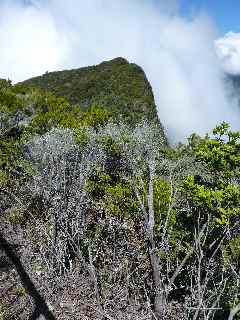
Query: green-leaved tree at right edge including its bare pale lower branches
[(214, 202)]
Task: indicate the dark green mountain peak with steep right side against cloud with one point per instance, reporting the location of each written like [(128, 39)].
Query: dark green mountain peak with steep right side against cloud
[(118, 85)]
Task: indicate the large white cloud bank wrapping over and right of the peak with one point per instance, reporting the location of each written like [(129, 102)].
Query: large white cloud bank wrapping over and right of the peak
[(177, 53)]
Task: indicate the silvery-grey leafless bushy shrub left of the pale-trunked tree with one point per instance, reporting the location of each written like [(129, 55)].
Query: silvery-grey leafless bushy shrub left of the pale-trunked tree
[(62, 169)]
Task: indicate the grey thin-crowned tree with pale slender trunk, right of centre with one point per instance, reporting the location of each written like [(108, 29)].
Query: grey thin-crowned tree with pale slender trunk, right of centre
[(142, 153)]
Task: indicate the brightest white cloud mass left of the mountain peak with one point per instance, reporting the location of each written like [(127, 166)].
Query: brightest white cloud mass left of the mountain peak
[(30, 42)]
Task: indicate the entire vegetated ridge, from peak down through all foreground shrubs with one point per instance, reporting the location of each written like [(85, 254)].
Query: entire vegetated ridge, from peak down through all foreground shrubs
[(101, 218)]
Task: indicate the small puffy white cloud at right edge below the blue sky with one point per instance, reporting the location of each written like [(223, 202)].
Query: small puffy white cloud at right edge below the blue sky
[(228, 51)]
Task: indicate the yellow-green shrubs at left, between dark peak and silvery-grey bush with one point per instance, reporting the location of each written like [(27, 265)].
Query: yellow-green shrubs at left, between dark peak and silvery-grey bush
[(25, 112)]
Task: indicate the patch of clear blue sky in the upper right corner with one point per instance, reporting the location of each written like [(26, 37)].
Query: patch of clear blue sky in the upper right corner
[(225, 13)]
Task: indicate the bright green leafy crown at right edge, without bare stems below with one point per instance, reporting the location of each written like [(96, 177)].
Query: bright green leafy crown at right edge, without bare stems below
[(220, 193)]
